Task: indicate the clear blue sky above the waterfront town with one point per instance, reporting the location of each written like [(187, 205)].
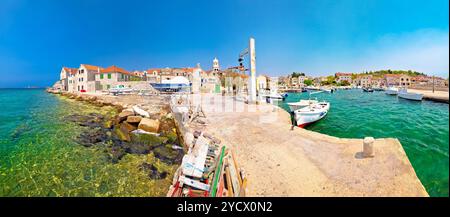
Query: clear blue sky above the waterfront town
[(317, 37)]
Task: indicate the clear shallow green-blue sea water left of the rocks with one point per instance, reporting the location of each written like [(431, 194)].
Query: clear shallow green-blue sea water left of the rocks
[(40, 156)]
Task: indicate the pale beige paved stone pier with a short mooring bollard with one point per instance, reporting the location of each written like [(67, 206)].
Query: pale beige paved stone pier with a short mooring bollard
[(280, 161)]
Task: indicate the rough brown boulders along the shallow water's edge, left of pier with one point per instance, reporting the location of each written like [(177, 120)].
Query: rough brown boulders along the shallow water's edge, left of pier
[(137, 129)]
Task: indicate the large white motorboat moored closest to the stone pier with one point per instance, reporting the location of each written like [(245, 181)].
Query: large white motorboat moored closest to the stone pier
[(311, 113)]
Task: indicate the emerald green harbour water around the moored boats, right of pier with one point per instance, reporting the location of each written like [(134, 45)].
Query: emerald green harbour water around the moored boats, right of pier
[(421, 127)]
